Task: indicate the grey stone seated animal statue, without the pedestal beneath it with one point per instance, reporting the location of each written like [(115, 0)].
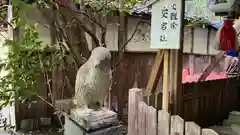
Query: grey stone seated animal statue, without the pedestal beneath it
[(93, 80)]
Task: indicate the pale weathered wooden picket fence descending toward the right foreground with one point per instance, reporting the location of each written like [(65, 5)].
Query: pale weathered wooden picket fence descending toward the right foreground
[(146, 120)]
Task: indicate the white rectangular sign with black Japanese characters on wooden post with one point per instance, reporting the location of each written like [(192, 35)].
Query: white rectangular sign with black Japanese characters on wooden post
[(165, 24)]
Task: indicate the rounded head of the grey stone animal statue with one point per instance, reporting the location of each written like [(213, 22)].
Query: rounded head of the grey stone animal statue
[(101, 57)]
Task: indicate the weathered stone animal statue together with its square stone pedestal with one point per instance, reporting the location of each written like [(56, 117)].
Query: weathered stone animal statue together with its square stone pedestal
[(92, 84)]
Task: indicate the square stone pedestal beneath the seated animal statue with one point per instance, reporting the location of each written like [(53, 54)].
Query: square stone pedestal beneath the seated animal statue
[(81, 122)]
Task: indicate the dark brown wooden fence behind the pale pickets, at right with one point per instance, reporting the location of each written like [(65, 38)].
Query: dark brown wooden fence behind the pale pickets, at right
[(209, 102)]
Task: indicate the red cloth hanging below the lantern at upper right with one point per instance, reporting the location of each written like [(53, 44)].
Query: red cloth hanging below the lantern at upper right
[(228, 36)]
